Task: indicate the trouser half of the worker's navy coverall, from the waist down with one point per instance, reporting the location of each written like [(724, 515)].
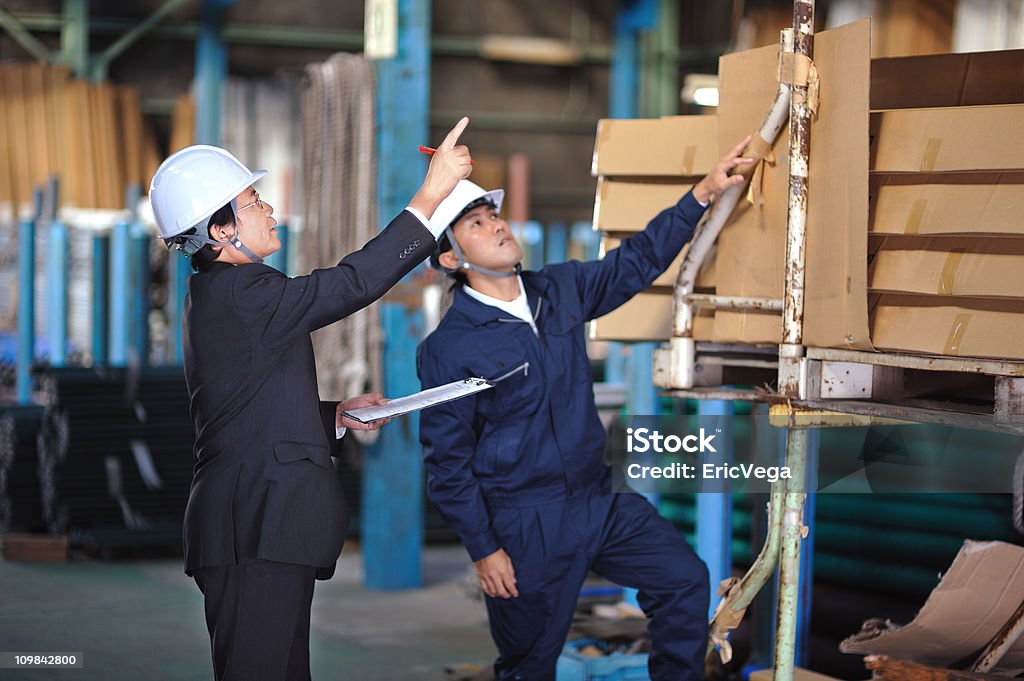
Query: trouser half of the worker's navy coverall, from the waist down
[(620, 537)]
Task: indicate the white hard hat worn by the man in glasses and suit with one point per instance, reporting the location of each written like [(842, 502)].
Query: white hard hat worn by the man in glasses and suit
[(193, 185)]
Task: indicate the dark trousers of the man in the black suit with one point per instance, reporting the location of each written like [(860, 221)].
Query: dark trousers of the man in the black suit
[(259, 617)]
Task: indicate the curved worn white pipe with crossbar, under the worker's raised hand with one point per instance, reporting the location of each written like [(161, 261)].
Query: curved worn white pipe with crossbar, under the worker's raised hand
[(678, 360)]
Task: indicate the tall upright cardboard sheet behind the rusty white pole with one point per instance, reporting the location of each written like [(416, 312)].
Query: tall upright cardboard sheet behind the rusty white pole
[(751, 258)]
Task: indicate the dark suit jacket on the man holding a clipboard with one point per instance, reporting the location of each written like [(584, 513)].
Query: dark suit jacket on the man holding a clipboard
[(265, 487)]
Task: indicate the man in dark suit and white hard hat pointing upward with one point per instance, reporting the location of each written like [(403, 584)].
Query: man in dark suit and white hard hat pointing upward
[(266, 516)]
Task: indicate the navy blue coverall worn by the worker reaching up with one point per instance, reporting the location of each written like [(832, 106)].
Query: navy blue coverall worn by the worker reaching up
[(521, 466)]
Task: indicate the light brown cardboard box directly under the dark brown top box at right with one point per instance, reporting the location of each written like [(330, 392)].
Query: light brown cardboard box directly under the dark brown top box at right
[(955, 139)]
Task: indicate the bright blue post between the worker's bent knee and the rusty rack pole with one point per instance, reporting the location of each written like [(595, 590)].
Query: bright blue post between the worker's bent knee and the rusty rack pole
[(714, 509)]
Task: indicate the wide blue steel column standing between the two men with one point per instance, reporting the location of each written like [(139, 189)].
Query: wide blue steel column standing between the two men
[(393, 497)]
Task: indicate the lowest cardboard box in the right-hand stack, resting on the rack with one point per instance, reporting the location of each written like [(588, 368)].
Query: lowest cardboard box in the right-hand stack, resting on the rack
[(959, 327)]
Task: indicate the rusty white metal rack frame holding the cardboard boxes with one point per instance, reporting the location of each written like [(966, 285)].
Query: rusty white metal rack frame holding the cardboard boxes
[(821, 388)]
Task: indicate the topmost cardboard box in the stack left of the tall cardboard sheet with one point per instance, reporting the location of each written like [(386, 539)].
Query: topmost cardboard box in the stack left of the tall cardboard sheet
[(674, 146)]
